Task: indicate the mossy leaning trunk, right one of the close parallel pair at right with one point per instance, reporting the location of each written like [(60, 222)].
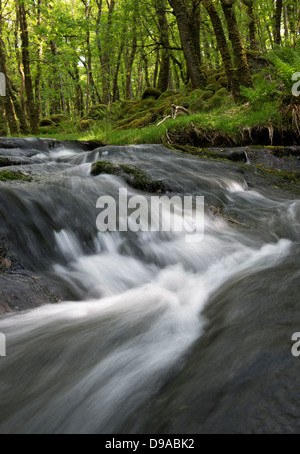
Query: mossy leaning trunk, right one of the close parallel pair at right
[(240, 55)]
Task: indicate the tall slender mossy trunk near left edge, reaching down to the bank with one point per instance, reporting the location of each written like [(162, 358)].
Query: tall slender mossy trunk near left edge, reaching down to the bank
[(31, 108)]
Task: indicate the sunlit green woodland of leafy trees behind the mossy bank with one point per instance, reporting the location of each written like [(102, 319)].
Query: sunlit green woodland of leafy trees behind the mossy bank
[(74, 58)]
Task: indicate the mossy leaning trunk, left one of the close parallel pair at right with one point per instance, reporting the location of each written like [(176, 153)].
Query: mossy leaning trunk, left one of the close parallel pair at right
[(223, 47)]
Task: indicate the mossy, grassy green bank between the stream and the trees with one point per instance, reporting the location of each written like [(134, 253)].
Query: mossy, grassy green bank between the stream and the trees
[(213, 119)]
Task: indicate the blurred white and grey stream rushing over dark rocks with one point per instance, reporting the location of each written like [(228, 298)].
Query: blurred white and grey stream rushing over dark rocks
[(156, 335)]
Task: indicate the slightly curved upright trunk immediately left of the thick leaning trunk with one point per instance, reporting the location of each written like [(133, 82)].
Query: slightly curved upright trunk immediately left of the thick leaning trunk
[(164, 73)]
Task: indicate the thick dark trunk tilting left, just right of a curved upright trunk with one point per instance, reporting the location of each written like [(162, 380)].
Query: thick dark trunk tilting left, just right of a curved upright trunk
[(196, 73)]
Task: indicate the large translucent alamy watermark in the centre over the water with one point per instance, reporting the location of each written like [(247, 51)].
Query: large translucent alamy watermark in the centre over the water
[(152, 214)]
